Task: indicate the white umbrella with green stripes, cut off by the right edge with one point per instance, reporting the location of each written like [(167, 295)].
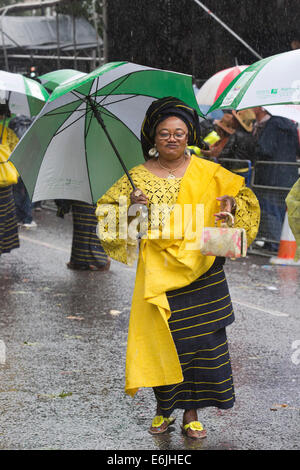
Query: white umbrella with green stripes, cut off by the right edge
[(271, 81)]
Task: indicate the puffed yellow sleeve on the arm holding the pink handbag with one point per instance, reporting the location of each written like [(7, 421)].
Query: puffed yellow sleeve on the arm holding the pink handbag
[(247, 214)]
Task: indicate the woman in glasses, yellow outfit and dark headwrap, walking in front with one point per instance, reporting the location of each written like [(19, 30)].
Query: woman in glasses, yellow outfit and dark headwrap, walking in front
[(181, 304)]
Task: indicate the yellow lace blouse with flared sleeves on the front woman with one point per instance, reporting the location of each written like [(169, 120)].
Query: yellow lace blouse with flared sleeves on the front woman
[(162, 191)]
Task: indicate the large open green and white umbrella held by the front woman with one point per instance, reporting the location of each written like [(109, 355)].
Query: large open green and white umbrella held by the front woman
[(88, 133)]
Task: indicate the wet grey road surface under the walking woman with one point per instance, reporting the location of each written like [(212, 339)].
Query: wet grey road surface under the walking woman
[(65, 332)]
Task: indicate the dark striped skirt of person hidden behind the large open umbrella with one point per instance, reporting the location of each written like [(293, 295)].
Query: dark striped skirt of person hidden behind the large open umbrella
[(86, 247)]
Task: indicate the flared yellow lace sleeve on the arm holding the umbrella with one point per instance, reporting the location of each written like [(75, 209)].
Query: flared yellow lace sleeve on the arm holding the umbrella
[(111, 211)]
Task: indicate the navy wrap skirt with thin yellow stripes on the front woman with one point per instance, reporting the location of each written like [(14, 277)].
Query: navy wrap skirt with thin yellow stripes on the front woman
[(199, 314)]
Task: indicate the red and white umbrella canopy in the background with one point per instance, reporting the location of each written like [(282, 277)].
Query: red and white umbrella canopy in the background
[(216, 84)]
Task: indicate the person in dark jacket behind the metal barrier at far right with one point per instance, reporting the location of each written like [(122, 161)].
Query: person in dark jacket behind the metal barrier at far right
[(276, 140)]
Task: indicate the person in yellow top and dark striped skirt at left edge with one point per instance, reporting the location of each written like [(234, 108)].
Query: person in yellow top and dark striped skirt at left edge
[(9, 237)]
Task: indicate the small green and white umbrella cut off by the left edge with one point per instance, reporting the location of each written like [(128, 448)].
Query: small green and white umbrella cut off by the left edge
[(23, 95)]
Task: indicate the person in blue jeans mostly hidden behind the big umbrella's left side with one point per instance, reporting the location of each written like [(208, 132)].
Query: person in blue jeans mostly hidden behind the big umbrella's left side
[(19, 124)]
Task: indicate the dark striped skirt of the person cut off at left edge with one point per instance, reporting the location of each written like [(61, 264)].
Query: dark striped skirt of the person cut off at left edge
[(9, 238)]
